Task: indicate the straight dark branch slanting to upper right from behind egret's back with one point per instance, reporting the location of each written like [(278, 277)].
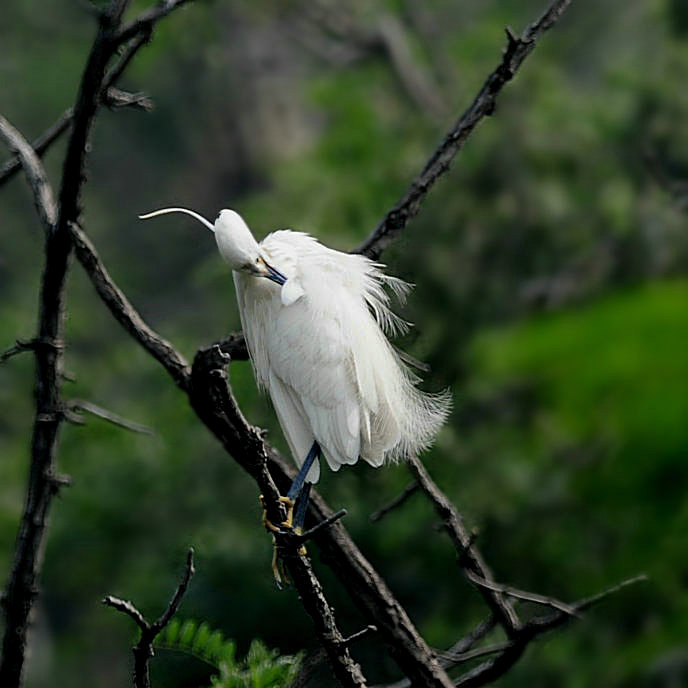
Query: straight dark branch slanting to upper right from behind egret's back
[(482, 106)]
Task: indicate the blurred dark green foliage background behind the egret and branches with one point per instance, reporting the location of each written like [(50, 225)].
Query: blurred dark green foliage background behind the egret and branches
[(552, 297)]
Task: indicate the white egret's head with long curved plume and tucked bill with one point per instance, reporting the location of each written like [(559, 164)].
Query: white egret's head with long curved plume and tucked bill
[(234, 240)]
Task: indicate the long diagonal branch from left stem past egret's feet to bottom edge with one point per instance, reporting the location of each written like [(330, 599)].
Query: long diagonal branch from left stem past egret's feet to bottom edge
[(212, 399)]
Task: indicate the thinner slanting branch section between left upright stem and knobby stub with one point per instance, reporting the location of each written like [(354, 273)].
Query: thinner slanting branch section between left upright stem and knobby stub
[(125, 313)]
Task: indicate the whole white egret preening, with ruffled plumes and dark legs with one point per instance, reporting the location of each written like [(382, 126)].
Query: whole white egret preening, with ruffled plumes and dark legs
[(316, 323)]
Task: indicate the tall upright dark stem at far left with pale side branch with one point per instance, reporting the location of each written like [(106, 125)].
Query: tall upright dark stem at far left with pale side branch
[(43, 483)]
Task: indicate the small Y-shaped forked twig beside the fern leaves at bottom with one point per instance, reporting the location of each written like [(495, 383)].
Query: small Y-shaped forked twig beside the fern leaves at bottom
[(143, 650)]
